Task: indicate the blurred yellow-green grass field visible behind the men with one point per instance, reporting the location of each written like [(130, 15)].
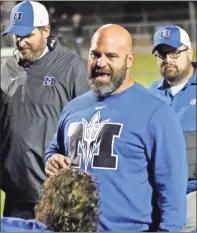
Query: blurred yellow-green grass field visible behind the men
[(144, 71)]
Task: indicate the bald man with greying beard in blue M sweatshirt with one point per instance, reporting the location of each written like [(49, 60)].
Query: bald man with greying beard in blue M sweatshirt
[(113, 132)]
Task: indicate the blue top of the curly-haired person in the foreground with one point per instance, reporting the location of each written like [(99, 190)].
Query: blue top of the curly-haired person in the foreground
[(9, 224)]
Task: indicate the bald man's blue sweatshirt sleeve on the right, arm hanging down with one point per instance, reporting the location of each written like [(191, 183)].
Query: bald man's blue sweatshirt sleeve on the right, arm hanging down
[(167, 152)]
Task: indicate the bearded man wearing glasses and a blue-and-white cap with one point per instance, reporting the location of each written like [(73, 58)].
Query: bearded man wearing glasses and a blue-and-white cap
[(173, 51)]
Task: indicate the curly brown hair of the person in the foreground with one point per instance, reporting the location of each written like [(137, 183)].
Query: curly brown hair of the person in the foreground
[(69, 202)]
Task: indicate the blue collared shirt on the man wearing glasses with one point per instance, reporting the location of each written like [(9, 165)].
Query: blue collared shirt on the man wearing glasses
[(184, 106)]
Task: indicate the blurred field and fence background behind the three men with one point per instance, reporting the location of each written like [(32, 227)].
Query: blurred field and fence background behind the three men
[(75, 22)]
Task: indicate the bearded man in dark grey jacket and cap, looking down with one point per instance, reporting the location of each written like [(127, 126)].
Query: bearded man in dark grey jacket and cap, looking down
[(36, 83)]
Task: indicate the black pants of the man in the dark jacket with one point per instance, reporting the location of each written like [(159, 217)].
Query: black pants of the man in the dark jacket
[(23, 210)]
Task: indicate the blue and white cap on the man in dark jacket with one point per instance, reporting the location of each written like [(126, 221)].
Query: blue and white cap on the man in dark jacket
[(25, 17)]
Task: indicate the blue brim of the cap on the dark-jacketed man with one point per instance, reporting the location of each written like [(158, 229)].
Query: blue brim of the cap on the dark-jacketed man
[(18, 30)]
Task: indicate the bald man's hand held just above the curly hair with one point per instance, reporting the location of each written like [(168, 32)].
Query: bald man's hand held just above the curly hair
[(55, 163)]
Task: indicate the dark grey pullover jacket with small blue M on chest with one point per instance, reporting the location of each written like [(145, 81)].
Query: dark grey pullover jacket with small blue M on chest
[(31, 101)]
